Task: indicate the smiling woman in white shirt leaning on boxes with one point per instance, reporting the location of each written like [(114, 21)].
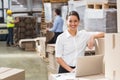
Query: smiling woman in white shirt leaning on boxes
[(72, 43)]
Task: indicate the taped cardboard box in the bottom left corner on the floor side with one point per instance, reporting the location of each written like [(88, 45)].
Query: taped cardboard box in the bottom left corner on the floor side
[(11, 74)]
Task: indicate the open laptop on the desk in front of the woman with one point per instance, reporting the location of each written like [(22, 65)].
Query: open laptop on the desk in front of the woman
[(89, 65)]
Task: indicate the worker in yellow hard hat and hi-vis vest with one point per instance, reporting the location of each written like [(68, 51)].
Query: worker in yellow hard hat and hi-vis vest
[(10, 25)]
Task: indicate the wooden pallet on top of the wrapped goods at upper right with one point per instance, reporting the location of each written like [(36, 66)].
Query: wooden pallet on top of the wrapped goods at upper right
[(101, 6)]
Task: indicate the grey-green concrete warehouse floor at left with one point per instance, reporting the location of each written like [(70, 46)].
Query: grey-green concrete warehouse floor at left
[(35, 68)]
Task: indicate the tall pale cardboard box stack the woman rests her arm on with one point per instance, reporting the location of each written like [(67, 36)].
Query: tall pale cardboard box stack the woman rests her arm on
[(112, 56)]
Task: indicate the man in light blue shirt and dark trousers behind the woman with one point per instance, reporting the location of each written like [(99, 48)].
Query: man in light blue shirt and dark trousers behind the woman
[(57, 26)]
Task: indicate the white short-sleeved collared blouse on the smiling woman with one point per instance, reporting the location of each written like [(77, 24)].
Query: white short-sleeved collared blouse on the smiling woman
[(69, 48)]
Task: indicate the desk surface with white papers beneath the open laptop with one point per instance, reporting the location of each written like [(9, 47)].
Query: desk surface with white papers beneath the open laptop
[(71, 76)]
